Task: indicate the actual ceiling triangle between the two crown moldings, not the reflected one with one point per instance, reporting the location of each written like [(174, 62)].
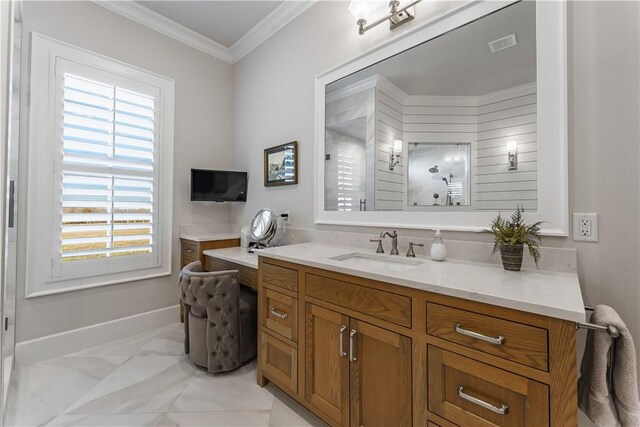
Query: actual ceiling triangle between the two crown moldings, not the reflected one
[(224, 22)]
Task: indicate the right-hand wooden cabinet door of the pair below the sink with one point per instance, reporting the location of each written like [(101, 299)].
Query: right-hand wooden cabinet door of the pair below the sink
[(380, 376)]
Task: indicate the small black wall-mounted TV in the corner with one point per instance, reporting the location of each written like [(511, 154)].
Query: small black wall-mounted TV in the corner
[(218, 186)]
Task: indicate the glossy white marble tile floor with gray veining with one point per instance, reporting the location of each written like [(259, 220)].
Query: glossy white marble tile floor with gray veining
[(145, 380)]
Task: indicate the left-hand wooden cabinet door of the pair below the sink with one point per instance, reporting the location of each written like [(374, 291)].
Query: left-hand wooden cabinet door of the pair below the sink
[(326, 362)]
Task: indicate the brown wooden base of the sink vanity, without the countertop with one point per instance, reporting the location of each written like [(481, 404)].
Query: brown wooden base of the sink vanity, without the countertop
[(369, 353)]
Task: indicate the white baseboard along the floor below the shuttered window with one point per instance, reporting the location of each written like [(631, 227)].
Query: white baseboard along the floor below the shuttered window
[(50, 346)]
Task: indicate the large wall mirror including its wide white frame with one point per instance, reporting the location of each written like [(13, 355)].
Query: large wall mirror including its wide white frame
[(449, 125)]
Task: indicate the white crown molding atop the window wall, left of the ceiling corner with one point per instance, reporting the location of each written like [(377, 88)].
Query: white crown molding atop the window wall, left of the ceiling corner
[(166, 26)]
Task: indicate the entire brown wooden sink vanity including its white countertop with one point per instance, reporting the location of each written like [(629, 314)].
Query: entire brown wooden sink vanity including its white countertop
[(363, 339)]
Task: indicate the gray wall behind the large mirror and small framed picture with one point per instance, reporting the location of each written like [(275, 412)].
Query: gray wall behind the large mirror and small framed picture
[(274, 92)]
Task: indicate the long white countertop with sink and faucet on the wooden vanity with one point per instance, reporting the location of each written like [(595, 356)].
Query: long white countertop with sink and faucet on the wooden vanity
[(547, 293)]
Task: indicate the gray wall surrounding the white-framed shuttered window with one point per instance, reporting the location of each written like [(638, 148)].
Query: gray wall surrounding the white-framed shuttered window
[(203, 131)]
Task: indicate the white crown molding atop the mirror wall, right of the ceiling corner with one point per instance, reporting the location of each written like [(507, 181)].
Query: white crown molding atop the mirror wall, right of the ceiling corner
[(271, 24)]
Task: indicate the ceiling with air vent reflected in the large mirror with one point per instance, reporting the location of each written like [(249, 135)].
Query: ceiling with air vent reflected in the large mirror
[(460, 62)]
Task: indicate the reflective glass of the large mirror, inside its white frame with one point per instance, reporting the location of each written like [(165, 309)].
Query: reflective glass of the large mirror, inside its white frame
[(454, 91)]
